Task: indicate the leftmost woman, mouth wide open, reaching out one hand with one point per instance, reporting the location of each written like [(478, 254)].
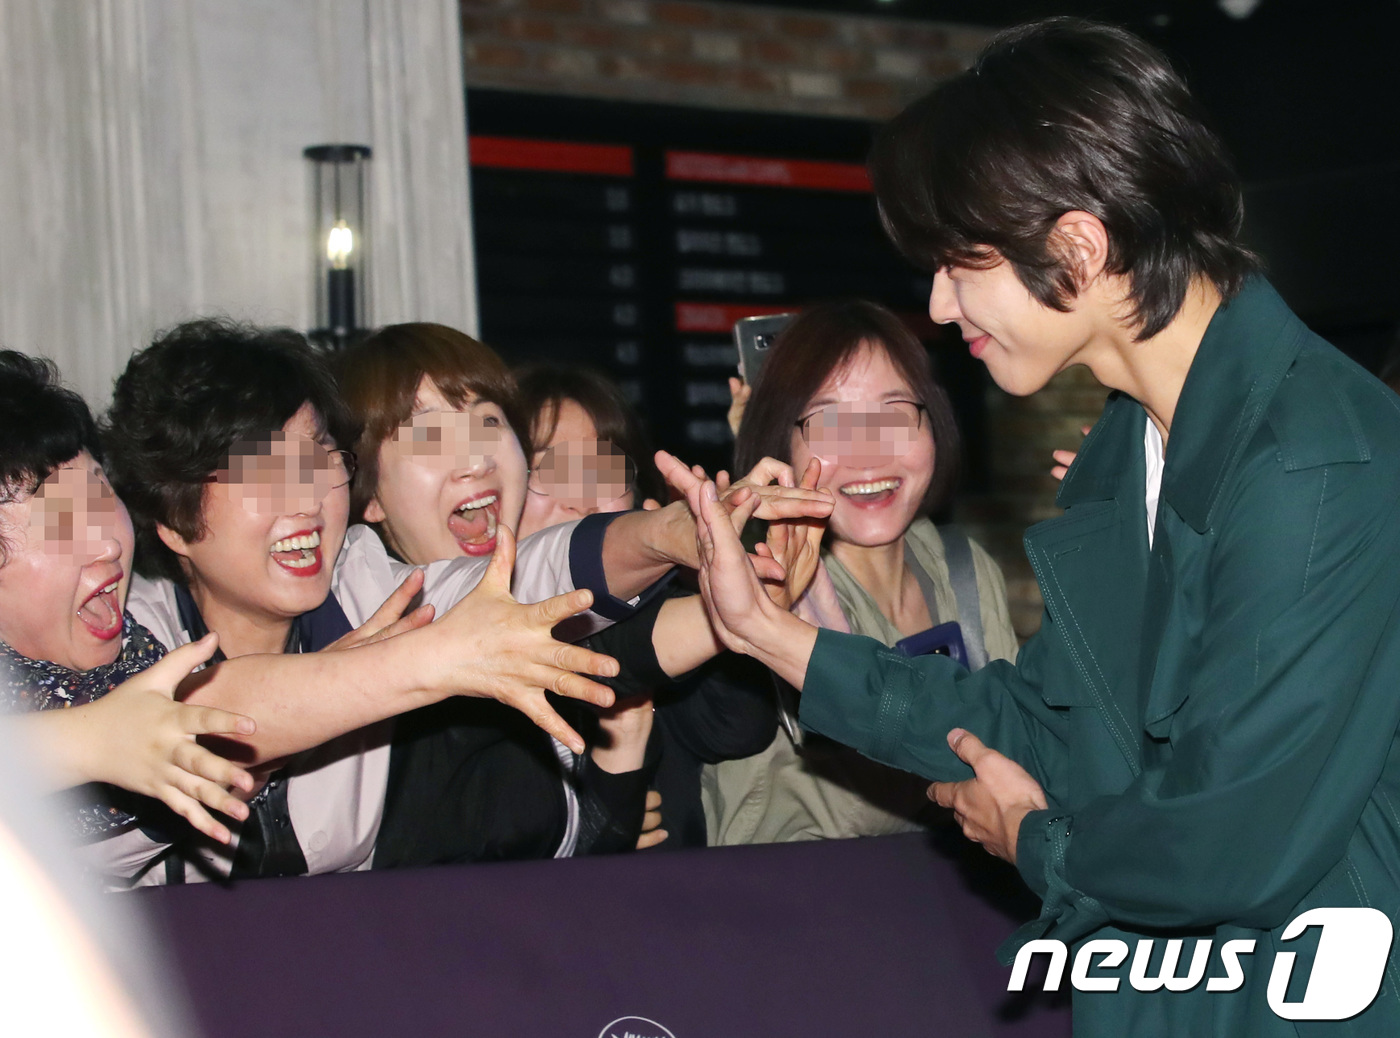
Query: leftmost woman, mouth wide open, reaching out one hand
[(100, 686)]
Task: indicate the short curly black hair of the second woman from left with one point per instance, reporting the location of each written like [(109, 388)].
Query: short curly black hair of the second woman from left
[(183, 404)]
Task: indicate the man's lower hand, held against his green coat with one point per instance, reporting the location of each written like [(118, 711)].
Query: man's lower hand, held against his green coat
[(990, 806)]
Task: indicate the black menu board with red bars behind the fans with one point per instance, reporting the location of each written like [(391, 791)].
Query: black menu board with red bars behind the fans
[(628, 237)]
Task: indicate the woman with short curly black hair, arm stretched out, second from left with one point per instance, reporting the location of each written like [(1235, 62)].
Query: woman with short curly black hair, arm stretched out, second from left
[(230, 445)]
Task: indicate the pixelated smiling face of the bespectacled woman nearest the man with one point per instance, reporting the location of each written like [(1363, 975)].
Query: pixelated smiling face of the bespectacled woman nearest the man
[(876, 446)]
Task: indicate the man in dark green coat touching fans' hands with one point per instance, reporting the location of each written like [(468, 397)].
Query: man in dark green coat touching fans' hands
[(1200, 743)]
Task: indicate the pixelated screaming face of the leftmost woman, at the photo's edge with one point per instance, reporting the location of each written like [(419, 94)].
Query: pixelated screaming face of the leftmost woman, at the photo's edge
[(66, 571)]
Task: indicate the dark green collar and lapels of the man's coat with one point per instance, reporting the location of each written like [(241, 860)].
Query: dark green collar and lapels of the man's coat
[(1247, 351)]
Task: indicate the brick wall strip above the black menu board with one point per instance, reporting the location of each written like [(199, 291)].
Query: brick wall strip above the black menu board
[(712, 55)]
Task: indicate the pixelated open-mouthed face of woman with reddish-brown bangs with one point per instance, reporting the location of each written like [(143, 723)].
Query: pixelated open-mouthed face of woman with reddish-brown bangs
[(447, 478)]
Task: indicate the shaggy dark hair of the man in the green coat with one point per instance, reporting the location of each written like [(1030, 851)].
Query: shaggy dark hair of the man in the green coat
[(1055, 117)]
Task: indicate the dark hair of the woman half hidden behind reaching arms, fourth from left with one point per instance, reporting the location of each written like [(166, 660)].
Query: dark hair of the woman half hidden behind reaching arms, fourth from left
[(544, 390)]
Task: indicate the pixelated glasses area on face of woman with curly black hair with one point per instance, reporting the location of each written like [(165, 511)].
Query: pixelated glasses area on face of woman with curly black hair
[(283, 476)]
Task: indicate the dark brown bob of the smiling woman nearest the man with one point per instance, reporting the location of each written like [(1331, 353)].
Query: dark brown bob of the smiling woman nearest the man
[(820, 342)]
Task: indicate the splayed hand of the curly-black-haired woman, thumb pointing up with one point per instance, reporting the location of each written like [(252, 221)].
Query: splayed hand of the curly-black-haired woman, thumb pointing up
[(496, 648)]
